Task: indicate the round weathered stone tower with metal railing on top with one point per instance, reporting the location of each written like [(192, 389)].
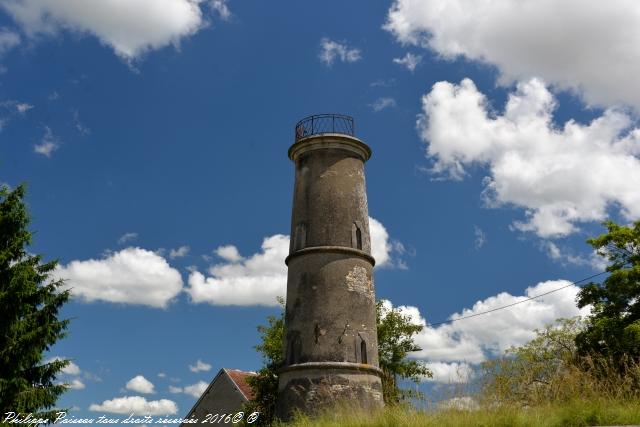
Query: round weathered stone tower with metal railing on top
[(331, 345)]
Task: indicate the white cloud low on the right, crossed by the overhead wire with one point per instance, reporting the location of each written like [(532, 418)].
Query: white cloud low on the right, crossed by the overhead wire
[(451, 349)]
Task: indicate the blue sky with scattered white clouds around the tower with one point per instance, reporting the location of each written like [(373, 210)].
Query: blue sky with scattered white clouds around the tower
[(153, 138)]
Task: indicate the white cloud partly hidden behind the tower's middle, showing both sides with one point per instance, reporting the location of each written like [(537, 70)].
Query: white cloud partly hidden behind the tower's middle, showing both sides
[(260, 278)]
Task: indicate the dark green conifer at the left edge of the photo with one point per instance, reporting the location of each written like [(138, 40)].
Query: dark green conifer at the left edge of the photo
[(29, 301)]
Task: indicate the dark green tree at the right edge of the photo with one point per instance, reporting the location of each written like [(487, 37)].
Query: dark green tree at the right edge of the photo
[(613, 329)]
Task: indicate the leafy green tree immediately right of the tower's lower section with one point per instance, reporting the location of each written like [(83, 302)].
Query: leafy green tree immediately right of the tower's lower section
[(396, 334)]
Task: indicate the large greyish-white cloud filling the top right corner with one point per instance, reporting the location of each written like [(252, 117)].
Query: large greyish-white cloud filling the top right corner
[(589, 46)]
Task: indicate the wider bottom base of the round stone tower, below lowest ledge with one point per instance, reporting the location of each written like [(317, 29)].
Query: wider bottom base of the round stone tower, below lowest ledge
[(317, 386)]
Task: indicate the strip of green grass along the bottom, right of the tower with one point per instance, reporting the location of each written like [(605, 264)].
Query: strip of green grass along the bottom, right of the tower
[(575, 413)]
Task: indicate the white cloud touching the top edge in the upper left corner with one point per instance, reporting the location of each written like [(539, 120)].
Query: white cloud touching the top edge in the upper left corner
[(129, 27)]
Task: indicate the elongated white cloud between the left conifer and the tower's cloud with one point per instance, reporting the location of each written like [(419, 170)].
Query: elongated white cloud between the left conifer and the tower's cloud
[(130, 276)]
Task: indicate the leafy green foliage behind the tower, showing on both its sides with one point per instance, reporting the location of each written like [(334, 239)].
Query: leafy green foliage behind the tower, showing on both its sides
[(395, 342)]
